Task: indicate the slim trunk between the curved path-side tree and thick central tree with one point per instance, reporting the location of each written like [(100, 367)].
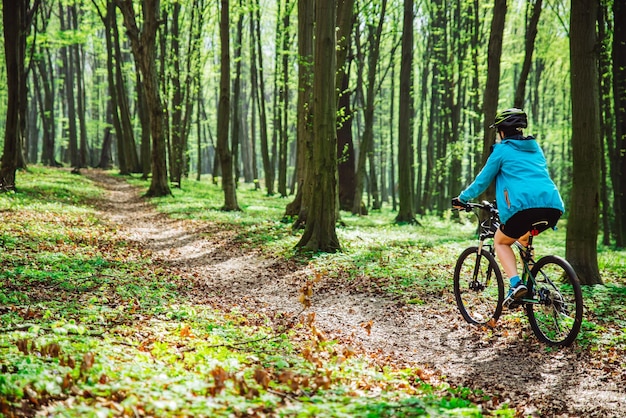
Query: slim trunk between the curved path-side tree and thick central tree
[(223, 114)]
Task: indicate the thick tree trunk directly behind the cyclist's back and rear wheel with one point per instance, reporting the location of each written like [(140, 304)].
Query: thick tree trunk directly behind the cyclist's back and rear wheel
[(582, 226)]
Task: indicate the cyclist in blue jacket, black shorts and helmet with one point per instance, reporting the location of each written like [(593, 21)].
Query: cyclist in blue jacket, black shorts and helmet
[(526, 196)]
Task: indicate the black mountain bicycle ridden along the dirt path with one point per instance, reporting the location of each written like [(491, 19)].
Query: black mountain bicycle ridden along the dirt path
[(553, 303)]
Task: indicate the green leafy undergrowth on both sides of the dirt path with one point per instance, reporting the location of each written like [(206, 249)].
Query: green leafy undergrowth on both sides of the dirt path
[(90, 325)]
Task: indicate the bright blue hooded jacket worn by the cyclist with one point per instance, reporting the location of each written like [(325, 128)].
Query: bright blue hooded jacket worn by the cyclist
[(522, 178)]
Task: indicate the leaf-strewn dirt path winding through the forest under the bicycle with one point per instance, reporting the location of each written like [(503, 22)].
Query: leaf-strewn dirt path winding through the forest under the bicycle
[(511, 365)]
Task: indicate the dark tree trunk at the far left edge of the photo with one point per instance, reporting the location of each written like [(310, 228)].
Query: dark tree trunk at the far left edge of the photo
[(17, 19)]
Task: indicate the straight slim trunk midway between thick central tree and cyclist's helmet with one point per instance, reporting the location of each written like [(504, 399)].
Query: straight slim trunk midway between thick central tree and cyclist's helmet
[(405, 120)]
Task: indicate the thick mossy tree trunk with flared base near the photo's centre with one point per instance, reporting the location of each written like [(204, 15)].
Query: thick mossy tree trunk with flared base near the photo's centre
[(321, 180)]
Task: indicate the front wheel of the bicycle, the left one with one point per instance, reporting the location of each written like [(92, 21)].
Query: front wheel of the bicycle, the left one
[(478, 286)]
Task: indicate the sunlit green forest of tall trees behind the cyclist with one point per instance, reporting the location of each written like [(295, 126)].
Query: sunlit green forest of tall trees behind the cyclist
[(347, 105)]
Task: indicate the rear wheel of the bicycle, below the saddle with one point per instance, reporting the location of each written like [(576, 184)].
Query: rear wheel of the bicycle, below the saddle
[(557, 315)]
